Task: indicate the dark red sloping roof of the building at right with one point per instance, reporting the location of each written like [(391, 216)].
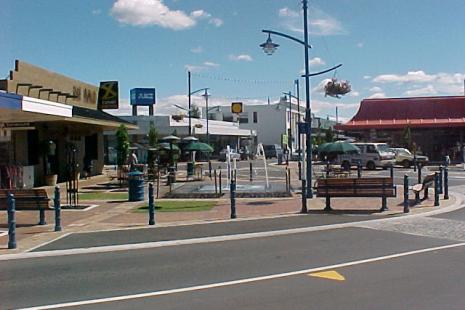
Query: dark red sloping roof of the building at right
[(423, 112)]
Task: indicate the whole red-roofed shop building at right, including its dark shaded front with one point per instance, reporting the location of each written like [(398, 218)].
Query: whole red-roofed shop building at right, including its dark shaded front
[(435, 126)]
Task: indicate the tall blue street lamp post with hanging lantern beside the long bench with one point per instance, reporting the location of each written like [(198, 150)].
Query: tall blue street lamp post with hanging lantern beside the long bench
[(269, 47)]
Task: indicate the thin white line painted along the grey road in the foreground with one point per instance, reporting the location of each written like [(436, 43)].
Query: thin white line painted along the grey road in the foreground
[(243, 281)]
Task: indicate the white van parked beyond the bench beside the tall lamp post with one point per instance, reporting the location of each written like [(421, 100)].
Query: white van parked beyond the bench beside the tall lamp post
[(372, 155)]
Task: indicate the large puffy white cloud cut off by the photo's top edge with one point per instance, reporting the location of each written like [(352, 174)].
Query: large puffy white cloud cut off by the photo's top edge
[(156, 13)]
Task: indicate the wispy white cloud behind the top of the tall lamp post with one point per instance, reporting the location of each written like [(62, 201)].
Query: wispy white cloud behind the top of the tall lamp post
[(320, 23)]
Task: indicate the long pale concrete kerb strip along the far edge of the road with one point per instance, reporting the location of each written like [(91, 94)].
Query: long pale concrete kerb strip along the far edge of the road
[(158, 244)]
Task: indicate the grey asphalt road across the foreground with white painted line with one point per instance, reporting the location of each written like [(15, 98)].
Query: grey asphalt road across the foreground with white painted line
[(375, 258)]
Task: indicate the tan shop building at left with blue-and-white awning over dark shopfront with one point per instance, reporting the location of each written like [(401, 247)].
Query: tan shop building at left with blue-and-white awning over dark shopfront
[(47, 120)]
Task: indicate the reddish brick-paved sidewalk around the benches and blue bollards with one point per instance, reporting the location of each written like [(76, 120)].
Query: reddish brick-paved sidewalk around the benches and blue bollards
[(121, 214)]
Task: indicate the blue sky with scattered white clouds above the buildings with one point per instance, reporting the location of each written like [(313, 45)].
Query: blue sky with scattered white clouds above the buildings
[(392, 48)]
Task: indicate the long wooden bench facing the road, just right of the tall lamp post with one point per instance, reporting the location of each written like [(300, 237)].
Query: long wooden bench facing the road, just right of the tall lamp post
[(356, 187)]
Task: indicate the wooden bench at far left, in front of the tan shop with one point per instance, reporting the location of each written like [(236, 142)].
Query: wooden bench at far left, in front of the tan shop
[(27, 199)]
